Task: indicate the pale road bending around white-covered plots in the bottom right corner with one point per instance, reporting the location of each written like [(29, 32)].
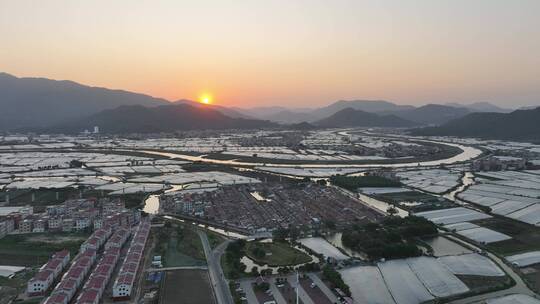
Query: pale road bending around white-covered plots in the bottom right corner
[(520, 286)]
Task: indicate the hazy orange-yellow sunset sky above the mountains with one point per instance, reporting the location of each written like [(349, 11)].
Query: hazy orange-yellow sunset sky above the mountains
[(283, 52)]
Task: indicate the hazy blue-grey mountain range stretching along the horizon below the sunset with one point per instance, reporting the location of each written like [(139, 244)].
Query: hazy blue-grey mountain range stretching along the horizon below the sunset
[(51, 105)]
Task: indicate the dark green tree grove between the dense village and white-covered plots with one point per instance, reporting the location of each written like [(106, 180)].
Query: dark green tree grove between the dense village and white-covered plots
[(393, 238)]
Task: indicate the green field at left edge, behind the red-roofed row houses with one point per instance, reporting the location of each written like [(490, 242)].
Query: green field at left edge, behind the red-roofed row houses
[(35, 249)]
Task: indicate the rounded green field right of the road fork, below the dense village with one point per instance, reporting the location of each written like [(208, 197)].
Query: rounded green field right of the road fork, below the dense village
[(275, 254)]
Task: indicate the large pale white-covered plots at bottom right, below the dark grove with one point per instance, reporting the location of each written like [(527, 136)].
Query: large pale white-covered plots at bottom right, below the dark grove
[(419, 279)]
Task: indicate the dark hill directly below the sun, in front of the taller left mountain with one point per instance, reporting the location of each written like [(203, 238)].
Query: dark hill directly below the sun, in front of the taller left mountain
[(167, 118)]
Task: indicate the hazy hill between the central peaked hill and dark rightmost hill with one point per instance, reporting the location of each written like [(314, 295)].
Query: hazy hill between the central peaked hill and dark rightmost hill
[(431, 114)]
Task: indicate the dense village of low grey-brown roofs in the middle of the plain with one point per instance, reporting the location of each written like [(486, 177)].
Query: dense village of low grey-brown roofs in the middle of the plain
[(267, 206)]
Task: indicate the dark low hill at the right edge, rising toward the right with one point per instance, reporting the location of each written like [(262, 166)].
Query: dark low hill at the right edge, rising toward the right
[(517, 125)]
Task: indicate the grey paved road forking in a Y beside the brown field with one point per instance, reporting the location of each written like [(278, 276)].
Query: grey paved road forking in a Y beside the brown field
[(219, 283)]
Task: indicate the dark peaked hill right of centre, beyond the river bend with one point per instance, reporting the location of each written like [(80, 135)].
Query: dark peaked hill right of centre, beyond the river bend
[(355, 118)]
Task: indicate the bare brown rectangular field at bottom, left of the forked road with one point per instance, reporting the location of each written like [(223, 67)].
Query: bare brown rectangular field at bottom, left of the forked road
[(192, 286)]
